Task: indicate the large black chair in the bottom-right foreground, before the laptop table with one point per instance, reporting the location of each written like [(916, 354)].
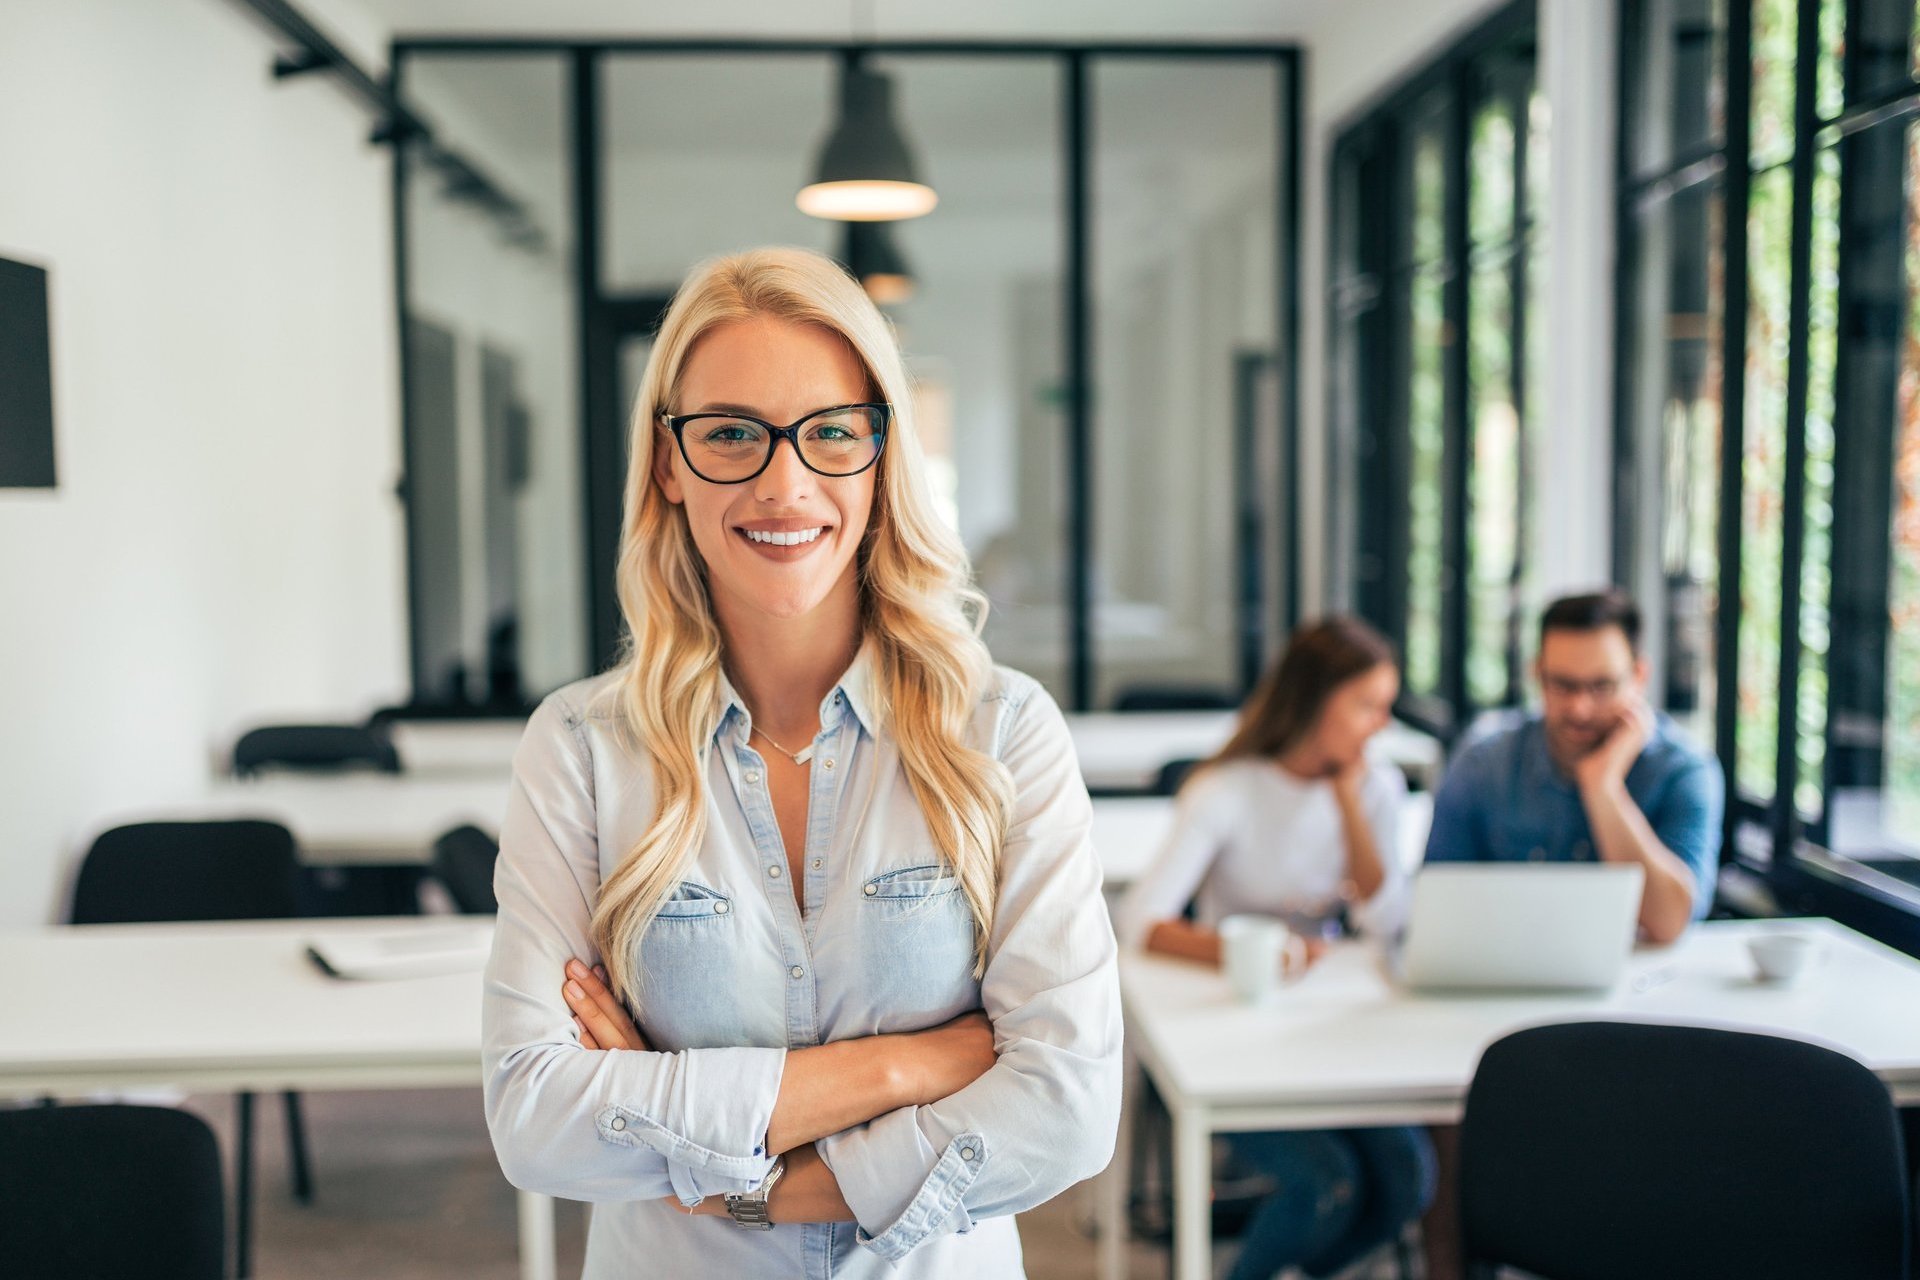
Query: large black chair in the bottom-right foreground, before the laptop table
[(1604, 1150)]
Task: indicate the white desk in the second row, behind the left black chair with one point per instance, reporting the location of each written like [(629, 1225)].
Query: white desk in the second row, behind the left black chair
[(354, 818)]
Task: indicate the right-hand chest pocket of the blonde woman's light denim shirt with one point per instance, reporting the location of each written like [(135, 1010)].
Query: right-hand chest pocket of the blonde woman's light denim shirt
[(917, 941)]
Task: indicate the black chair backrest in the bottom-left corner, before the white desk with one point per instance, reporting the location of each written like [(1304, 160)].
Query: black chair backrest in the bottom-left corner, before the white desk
[(103, 1193)]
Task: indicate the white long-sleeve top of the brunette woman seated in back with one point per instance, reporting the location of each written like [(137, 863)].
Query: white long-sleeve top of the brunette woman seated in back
[(1253, 838)]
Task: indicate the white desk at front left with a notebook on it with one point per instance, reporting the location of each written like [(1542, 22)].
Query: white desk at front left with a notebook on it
[(237, 1007)]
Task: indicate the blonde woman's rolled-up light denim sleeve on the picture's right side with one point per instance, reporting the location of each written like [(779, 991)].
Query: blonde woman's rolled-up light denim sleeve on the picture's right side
[(1045, 1116)]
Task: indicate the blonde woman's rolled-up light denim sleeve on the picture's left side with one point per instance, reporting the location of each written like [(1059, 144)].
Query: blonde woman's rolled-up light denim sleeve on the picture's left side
[(575, 1122)]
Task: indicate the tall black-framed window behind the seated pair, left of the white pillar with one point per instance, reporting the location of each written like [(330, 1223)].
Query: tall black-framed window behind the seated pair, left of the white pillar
[(1439, 262)]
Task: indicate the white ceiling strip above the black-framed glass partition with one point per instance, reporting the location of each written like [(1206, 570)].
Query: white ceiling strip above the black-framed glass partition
[(1003, 20)]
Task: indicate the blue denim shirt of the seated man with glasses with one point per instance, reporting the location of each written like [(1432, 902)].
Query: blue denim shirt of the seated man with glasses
[(1504, 801)]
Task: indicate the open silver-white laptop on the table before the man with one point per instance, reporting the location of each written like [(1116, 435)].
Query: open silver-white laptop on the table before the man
[(1497, 926)]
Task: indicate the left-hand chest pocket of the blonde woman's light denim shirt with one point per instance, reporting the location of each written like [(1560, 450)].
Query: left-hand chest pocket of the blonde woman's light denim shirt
[(688, 957)]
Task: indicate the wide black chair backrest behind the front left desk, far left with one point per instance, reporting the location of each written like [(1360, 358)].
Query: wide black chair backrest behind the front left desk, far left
[(187, 870)]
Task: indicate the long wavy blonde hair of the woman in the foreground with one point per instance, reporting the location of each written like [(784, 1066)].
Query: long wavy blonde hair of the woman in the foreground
[(919, 609)]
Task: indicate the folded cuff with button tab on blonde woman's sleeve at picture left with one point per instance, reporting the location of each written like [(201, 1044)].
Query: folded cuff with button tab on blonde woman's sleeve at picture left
[(713, 1129)]
